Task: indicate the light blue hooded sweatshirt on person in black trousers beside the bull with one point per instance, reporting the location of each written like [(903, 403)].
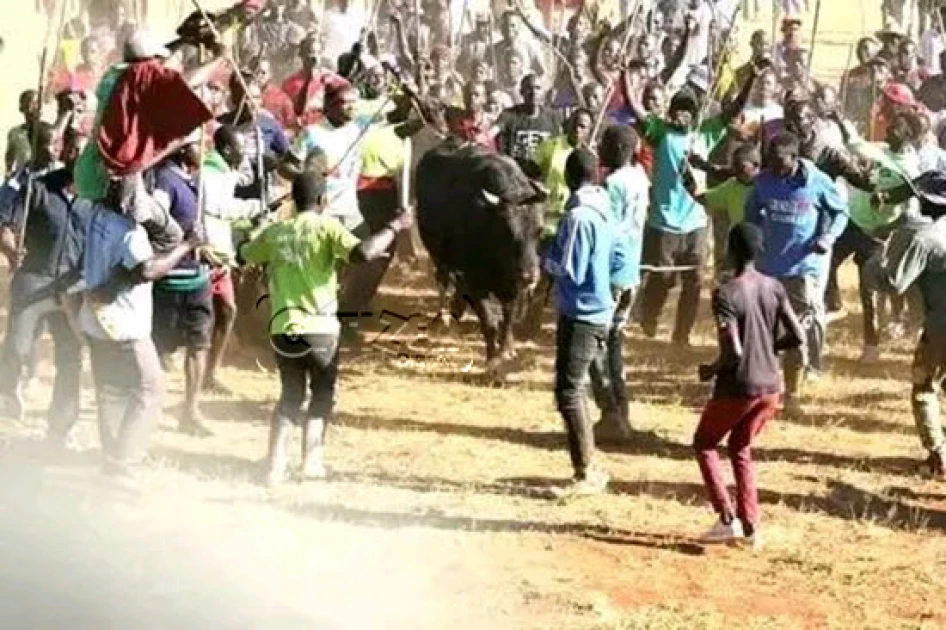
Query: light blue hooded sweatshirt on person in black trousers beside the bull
[(582, 257)]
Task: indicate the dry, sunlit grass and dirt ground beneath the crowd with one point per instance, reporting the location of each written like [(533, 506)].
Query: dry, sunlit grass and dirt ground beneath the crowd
[(436, 514)]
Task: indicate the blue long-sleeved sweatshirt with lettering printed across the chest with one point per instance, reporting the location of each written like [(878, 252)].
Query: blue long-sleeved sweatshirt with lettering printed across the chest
[(794, 213)]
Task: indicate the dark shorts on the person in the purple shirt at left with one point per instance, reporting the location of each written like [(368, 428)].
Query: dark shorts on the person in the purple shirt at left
[(183, 319)]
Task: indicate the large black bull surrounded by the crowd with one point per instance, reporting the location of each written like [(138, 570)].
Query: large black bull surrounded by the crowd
[(481, 219)]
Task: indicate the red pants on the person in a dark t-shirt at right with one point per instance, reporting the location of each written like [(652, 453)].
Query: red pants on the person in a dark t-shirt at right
[(742, 418)]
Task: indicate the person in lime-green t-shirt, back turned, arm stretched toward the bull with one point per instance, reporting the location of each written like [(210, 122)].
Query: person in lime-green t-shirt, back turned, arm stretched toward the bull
[(302, 256)]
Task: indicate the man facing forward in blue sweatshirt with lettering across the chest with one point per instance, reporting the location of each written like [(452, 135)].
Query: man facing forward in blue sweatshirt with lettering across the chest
[(801, 214)]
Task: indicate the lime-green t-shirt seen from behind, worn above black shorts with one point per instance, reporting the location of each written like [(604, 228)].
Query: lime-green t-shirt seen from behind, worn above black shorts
[(302, 254)]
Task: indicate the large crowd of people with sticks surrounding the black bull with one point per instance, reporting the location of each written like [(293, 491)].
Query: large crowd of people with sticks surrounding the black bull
[(127, 216)]
